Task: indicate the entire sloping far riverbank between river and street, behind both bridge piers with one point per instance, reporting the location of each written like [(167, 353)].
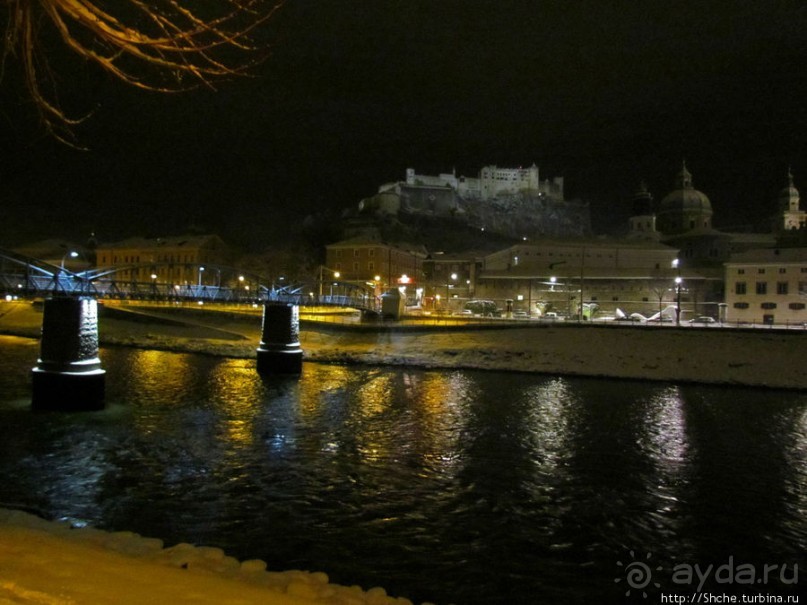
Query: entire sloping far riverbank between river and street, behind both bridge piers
[(770, 357)]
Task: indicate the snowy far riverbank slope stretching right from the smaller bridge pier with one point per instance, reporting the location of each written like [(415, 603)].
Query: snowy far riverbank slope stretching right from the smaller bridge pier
[(713, 356)]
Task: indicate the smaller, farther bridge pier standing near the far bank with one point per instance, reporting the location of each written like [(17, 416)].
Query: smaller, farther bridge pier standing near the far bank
[(279, 351)]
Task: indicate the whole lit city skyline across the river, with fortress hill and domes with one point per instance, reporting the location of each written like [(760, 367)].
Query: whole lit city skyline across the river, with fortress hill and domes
[(509, 237)]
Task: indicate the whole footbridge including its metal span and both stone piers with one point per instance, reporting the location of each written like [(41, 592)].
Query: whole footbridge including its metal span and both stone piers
[(68, 375)]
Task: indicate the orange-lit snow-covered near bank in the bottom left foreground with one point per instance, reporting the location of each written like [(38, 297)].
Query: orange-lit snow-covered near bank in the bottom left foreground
[(50, 563)]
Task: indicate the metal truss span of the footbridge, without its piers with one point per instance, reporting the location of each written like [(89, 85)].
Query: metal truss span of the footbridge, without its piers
[(27, 277)]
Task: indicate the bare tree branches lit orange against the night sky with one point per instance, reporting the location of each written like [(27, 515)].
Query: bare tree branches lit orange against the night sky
[(156, 45)]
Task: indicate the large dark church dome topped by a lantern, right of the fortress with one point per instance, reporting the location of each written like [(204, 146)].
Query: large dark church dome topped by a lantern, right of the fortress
[(684, 209)]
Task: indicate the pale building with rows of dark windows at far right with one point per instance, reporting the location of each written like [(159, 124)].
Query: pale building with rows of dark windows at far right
[(767, 286)]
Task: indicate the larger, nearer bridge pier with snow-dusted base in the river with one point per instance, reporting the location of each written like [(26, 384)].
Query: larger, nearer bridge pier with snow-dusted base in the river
[(68, 374)]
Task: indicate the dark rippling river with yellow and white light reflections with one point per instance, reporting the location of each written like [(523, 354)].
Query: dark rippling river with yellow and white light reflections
[(463, 487)]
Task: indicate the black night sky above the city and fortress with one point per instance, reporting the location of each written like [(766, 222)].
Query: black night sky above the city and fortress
[(603, 93)]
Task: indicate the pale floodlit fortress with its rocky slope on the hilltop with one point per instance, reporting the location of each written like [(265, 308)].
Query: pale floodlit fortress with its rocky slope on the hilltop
[(510, 201)]
